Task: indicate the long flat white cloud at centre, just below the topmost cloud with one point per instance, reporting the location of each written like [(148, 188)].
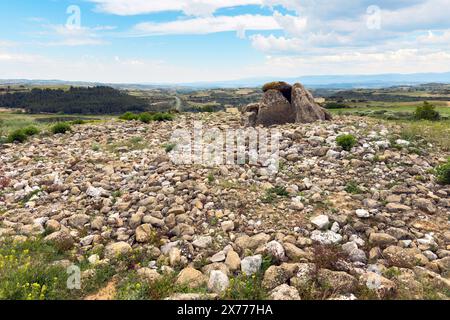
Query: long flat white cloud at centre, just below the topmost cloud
[(206, 25)]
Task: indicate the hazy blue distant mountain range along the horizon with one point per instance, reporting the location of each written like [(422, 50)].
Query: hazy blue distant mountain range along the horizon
[(331, 81)]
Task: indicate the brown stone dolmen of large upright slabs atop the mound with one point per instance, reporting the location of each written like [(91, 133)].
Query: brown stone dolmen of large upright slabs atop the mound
[(283, 103)]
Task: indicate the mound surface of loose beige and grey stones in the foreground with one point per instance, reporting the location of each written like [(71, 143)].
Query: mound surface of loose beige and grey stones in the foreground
[(369, 223)]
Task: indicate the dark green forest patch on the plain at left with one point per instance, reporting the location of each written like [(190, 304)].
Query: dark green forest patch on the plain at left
[(76, 100)]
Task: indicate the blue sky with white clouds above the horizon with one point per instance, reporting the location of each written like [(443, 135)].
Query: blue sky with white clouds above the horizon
[(183, 41)]
